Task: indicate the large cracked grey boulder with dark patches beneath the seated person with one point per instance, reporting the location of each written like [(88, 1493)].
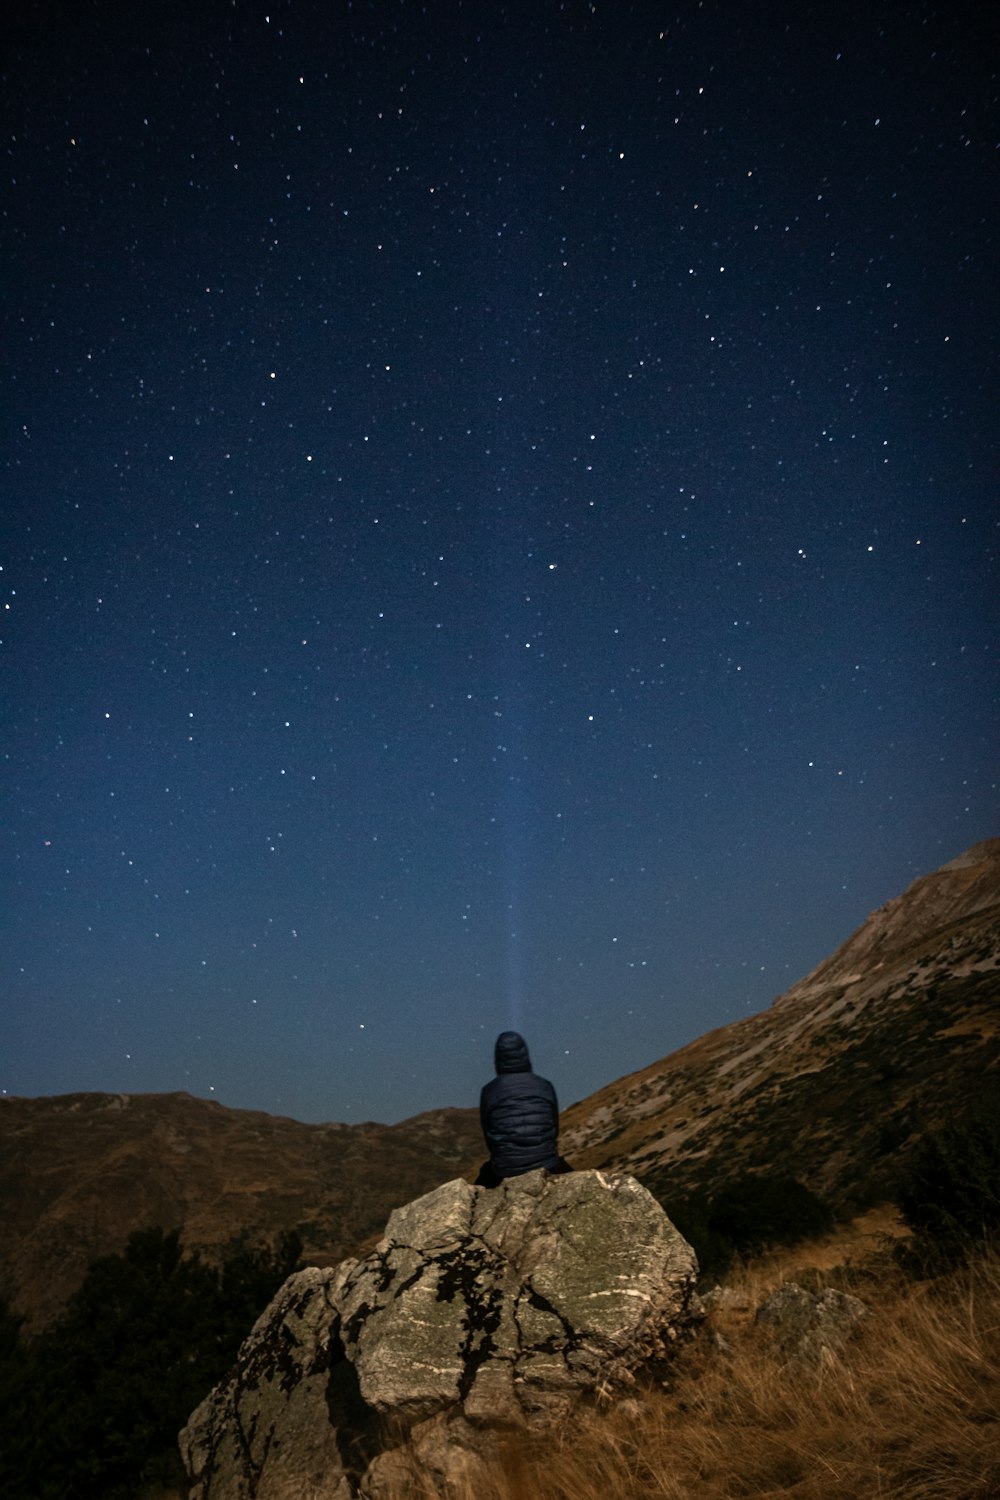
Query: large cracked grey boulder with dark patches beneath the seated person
[(479, 1313)]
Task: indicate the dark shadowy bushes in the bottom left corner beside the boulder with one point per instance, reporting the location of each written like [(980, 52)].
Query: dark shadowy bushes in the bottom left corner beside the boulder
[(98, 1399)]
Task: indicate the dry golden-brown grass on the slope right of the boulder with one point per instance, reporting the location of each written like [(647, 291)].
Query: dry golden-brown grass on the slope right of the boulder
[(911, 1411)]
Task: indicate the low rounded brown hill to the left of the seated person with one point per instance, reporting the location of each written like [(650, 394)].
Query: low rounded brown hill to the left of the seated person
[(80, 1172)]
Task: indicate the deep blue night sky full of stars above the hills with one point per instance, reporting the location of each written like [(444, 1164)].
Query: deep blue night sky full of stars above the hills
[(499, 527)]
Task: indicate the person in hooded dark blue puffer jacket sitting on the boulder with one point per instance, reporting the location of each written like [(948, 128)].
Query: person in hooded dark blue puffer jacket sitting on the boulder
[(519, 1115)]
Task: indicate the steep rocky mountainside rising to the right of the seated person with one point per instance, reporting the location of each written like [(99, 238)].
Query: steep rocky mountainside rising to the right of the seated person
[(836, 1082)]
